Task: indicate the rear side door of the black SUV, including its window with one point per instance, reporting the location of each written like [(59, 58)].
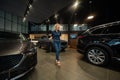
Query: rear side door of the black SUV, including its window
[(113, 32)]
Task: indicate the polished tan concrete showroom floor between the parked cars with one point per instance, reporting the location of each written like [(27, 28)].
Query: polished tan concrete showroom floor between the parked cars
[(73, 67)]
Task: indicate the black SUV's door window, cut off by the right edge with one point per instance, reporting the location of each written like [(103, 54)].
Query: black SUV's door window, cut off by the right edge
[(113, 29)]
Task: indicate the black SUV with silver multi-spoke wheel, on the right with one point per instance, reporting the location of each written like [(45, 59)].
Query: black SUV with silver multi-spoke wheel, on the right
[(101, 44)]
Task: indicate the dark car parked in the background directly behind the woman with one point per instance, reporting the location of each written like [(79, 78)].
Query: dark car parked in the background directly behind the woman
[(45, 42)]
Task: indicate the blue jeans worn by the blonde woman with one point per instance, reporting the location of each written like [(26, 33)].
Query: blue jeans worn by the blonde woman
[(57, 46)]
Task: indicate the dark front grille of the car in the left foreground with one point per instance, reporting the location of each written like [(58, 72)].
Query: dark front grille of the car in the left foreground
[(9, 61)]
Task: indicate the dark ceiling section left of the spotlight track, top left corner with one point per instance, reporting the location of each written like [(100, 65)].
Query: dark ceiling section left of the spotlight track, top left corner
[(16, 7)]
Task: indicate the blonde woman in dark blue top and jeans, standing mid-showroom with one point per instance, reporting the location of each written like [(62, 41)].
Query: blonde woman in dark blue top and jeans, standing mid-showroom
[(56, 42)]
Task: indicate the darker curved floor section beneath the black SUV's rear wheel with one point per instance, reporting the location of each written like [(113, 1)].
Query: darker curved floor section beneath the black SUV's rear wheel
[(110, 72)]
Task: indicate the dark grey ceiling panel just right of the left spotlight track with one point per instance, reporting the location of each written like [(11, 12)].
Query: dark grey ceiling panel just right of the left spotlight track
[(43, 9)]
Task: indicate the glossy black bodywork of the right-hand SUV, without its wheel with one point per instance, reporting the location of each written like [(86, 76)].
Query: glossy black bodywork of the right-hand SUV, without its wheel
[(106, 36)]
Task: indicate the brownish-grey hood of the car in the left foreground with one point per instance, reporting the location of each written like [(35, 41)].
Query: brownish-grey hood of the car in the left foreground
[(11, 47)]
